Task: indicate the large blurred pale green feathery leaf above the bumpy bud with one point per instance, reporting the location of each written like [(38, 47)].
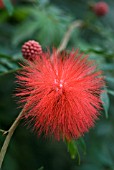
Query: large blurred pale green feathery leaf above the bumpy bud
[(48, 25)]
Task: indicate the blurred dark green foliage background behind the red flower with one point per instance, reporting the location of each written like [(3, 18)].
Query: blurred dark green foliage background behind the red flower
[(46, 21)]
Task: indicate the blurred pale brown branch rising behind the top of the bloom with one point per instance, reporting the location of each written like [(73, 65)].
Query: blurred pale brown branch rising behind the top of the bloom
[(64, 42)]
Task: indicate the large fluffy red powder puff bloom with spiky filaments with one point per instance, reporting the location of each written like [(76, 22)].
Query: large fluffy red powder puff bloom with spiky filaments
[(62, 94)]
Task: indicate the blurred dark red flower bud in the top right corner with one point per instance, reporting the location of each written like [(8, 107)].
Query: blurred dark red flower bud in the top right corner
[(101, 8)]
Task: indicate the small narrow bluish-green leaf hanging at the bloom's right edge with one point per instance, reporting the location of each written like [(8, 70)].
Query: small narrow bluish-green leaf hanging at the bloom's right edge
[(105, 102)]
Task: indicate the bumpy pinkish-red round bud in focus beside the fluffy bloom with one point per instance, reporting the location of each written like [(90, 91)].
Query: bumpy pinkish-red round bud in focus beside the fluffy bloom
[(31, 50)]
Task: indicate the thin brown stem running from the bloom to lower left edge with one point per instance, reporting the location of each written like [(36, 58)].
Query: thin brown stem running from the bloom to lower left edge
[(8, 137)]
